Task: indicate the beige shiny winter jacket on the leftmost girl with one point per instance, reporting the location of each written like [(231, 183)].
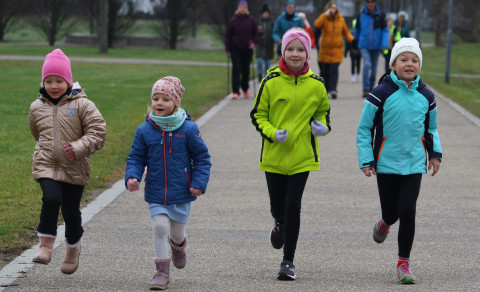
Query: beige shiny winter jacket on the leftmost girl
[(75, 120)]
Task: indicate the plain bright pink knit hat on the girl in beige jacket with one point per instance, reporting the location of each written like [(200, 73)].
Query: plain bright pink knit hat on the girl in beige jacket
[(57, 63)]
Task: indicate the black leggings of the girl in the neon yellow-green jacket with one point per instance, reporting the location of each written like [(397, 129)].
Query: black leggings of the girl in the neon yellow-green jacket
[(285, 193)]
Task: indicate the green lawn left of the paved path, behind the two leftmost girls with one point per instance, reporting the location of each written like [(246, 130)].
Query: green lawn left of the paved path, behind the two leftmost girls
[(122, 94)]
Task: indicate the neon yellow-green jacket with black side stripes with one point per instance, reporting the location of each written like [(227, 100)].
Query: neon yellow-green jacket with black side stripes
[(291, 103)]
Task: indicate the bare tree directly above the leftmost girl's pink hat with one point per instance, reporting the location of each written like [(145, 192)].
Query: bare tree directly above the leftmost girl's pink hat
[(52, 17)]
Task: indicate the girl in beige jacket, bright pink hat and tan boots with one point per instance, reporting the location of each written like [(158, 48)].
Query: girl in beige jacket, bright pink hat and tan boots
[(68, 129)]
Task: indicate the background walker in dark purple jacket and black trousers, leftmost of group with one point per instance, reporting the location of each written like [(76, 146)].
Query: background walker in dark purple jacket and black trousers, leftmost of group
[(240, 40)]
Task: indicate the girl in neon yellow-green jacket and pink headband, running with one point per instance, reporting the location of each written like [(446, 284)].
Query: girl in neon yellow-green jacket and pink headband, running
[(291, 110)]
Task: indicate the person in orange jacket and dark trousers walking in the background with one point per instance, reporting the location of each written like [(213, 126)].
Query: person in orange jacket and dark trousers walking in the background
[(330, 52)]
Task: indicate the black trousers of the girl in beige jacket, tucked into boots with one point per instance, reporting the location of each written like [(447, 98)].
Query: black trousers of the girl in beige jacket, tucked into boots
[(59, 195)]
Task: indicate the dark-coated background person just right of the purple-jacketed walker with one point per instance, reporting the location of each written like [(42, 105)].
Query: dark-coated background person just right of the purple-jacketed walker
[(264, 47)]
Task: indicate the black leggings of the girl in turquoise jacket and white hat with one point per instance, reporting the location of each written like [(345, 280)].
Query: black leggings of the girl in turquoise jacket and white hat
[(398, 200)]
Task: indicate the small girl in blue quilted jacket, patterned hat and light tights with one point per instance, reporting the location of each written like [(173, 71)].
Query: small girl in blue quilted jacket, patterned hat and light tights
[(178, 165)]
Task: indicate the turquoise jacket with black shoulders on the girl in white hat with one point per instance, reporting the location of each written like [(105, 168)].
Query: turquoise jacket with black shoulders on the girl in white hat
[(397, 133)]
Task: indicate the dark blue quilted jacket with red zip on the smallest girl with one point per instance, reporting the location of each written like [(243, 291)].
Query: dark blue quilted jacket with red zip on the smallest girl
[(175, 162)]
